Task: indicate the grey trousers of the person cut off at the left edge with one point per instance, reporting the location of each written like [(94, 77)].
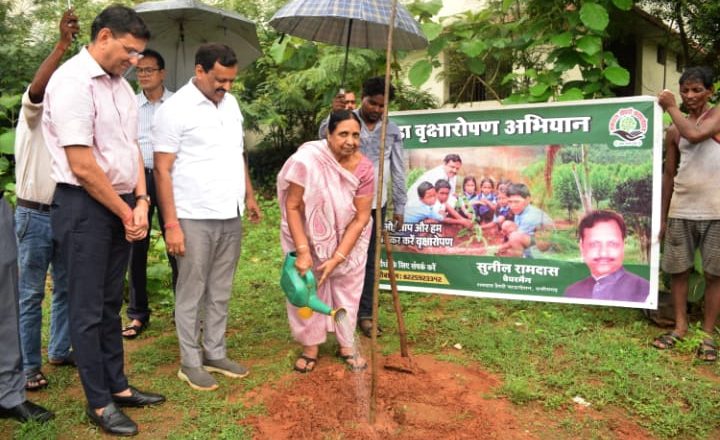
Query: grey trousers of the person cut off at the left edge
[(12, 379)]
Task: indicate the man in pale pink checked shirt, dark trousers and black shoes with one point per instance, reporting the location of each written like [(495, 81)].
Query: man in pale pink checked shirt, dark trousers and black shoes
[(100, 204)]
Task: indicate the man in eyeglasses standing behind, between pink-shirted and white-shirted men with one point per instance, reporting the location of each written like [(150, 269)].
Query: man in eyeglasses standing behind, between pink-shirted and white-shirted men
[(150, 71)]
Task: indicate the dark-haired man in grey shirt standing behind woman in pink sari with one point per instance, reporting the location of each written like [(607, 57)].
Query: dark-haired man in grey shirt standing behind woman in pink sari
[(370, 113)]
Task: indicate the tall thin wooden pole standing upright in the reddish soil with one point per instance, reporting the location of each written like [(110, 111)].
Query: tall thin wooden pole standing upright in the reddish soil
[(378, 218)]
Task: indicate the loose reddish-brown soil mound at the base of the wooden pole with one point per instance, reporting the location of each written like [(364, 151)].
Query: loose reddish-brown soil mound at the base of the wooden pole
[(437, 400)]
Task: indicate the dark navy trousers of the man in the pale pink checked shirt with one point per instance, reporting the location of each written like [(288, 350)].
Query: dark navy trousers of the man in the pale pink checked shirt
[(92, 240)]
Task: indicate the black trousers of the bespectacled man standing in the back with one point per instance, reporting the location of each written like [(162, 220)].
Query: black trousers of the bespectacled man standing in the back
[(138, 298)]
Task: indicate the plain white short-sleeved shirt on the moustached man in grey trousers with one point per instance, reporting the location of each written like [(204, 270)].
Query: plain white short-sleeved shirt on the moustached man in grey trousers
[(209, 171)]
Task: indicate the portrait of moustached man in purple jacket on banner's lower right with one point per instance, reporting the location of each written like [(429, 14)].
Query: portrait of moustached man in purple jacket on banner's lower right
[(602, 236)]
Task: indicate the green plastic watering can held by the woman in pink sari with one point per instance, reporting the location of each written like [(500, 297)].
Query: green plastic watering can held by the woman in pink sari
[(302, 291)]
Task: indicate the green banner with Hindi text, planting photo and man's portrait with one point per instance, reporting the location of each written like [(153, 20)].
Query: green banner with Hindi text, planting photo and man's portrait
[(470, 229)]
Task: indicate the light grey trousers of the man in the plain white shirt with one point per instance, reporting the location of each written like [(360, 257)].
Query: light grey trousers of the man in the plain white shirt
[(205, 276)]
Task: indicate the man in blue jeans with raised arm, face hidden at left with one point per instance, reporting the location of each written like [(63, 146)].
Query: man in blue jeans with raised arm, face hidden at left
[(36, 253)]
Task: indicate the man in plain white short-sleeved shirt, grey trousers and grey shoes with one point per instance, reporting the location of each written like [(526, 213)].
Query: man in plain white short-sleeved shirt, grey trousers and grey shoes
[(204, 187)]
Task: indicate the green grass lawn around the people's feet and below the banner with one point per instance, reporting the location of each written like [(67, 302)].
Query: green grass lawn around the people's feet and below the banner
[(545, 354)]
